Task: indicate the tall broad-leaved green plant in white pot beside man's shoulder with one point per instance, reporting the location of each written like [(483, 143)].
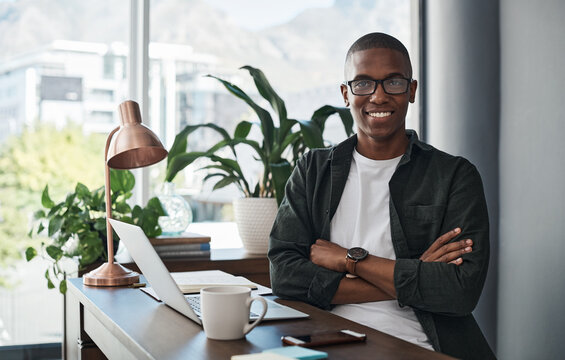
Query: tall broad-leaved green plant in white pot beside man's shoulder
[(278, 151)]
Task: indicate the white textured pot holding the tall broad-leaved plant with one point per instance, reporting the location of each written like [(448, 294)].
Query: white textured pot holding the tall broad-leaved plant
[(255, 218)]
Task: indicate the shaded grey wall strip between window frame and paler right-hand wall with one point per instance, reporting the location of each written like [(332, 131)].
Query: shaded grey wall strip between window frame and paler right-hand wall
[(462, 65)]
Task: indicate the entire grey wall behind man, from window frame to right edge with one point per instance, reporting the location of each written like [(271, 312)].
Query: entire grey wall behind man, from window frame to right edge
[(496, 73)]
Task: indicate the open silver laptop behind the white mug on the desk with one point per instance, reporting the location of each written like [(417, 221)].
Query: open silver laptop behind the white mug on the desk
[(158, 276)]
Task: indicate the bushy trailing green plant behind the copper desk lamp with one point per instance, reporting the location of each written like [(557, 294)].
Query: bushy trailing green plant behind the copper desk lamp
[(76, 227)]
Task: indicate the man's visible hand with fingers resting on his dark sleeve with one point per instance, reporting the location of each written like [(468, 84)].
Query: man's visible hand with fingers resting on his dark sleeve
[(442, 251)]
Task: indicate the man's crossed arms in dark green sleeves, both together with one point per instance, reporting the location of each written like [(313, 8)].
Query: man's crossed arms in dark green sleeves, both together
[(445, 279)]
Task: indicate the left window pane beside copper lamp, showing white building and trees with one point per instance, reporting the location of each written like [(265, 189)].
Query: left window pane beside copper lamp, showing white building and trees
[(53, 80)]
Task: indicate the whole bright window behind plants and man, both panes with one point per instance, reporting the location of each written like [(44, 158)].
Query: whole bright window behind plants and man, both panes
[(65, 64)]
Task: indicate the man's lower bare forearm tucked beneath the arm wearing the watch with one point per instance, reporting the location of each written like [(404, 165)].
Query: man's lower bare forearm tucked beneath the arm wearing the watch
[(357, 291)]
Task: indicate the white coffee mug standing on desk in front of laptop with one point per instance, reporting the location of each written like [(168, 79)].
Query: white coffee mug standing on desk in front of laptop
[(225, 311)]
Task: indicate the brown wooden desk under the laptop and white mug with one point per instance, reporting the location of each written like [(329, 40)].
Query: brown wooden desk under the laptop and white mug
[(125, 323)]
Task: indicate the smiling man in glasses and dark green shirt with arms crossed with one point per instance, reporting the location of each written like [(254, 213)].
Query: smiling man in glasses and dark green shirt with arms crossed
[(384, 229)]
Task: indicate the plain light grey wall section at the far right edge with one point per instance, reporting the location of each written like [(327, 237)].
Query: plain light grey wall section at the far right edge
[(531, 311)]
